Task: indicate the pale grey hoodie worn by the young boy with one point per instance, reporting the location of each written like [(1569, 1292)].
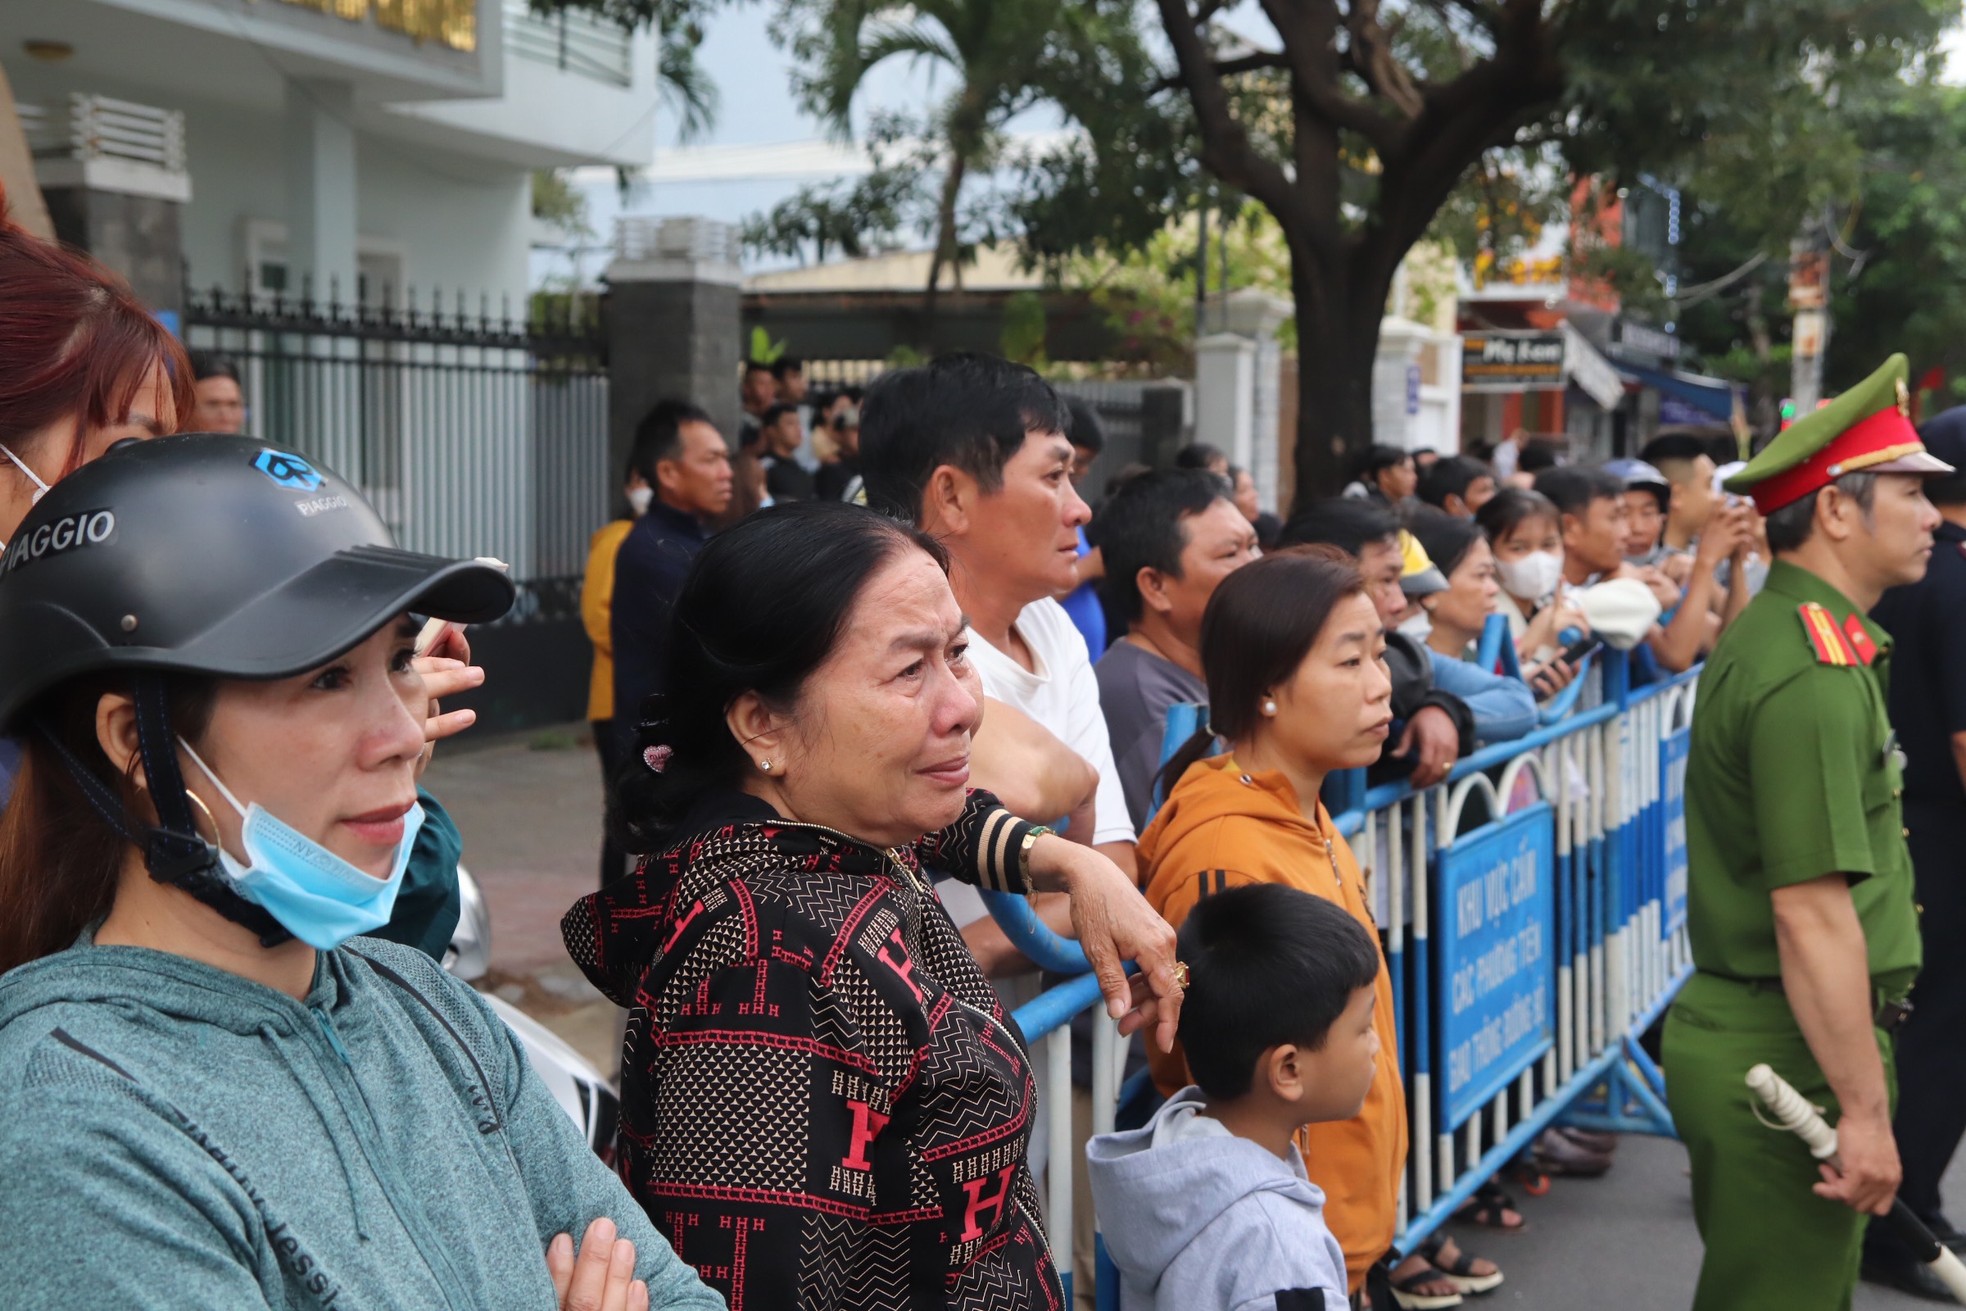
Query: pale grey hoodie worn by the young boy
[(1198, 1220)]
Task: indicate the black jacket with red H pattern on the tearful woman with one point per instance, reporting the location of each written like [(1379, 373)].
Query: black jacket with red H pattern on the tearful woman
[(823, 1102)]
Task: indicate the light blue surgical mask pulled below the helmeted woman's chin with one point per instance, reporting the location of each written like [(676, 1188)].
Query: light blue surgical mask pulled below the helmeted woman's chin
[(316, 895)]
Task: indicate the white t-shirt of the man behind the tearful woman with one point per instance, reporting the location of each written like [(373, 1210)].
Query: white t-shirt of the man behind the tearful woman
[(1063, 695)]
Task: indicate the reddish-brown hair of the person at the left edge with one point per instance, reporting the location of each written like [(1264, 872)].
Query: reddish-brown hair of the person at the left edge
[(74, 345)]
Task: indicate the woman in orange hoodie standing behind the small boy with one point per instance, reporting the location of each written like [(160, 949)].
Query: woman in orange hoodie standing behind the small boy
[(1293, 652)]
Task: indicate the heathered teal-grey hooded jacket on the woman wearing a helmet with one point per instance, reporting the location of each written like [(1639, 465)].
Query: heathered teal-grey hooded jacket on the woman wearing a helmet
[(178, 1137)]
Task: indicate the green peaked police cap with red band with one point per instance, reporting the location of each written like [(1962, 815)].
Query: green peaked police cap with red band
[(1863, 431)]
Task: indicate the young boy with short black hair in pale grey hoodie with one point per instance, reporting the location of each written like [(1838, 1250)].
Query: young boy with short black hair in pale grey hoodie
[(1208, 1208)]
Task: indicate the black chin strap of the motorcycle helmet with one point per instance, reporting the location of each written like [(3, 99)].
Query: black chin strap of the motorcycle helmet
[(174, 854)]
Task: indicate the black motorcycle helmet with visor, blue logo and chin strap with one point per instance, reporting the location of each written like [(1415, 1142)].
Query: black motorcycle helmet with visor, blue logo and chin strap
[(205, 555)]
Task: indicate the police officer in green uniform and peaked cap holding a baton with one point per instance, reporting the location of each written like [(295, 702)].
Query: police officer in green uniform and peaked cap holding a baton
[(1800, 901)]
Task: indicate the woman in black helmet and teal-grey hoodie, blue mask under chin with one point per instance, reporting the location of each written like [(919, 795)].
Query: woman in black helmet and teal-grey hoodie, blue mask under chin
[(213, 1090)]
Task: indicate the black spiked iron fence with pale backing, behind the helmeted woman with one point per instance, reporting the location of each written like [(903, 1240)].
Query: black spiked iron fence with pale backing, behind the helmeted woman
[(473, 433)]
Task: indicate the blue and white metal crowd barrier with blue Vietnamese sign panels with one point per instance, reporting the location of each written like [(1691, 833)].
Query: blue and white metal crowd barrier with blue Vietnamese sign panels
[(1532, 909)]
